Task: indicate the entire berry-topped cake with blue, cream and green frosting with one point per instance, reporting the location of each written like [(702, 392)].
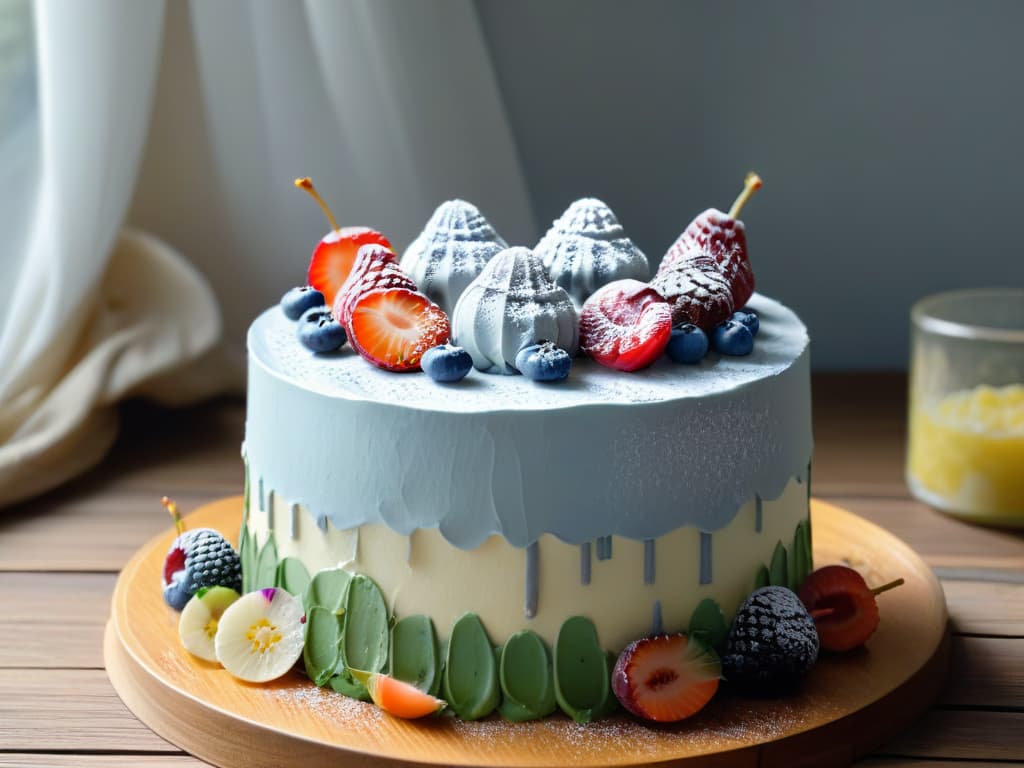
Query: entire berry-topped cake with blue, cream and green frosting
[(591, 467)]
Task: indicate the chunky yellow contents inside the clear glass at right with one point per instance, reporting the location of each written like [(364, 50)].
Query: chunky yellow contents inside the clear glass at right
[(967, 453)]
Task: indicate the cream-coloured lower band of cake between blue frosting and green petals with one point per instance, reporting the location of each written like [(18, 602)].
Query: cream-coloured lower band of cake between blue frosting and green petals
[(625, 587)]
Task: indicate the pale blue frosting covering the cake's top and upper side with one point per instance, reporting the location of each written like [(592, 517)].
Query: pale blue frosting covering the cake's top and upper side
[(606, 453)]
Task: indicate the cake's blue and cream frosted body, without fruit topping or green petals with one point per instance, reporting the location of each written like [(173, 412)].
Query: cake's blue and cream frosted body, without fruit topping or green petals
[(620, 497)]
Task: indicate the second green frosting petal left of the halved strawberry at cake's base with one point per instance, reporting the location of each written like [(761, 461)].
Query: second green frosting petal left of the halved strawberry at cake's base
[(527, 675)]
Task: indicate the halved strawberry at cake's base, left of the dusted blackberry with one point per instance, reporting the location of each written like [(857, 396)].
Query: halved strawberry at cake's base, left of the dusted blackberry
[(666, 678)]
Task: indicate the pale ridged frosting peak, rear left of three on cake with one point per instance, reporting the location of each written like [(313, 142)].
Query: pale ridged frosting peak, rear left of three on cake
[(451, 252)]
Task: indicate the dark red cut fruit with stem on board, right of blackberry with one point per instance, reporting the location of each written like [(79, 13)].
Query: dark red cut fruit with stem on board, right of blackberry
[(844, 608)]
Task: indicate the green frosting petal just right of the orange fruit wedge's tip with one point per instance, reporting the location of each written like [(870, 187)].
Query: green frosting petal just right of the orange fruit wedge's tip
[(472, 686)]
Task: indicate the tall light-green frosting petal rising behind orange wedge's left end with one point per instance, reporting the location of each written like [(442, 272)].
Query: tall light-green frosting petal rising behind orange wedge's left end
[(365, 632)]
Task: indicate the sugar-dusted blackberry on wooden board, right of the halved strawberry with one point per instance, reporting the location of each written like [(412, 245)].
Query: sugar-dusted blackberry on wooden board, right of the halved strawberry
[(773, 645)]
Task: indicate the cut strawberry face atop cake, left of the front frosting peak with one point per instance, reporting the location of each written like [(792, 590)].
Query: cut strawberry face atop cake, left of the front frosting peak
[(394, 327)]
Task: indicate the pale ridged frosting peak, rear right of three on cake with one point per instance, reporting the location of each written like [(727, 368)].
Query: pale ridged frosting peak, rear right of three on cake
[(587, 248)]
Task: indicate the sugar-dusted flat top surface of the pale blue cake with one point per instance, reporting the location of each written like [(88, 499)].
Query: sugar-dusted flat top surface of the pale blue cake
[(782, 340)]
